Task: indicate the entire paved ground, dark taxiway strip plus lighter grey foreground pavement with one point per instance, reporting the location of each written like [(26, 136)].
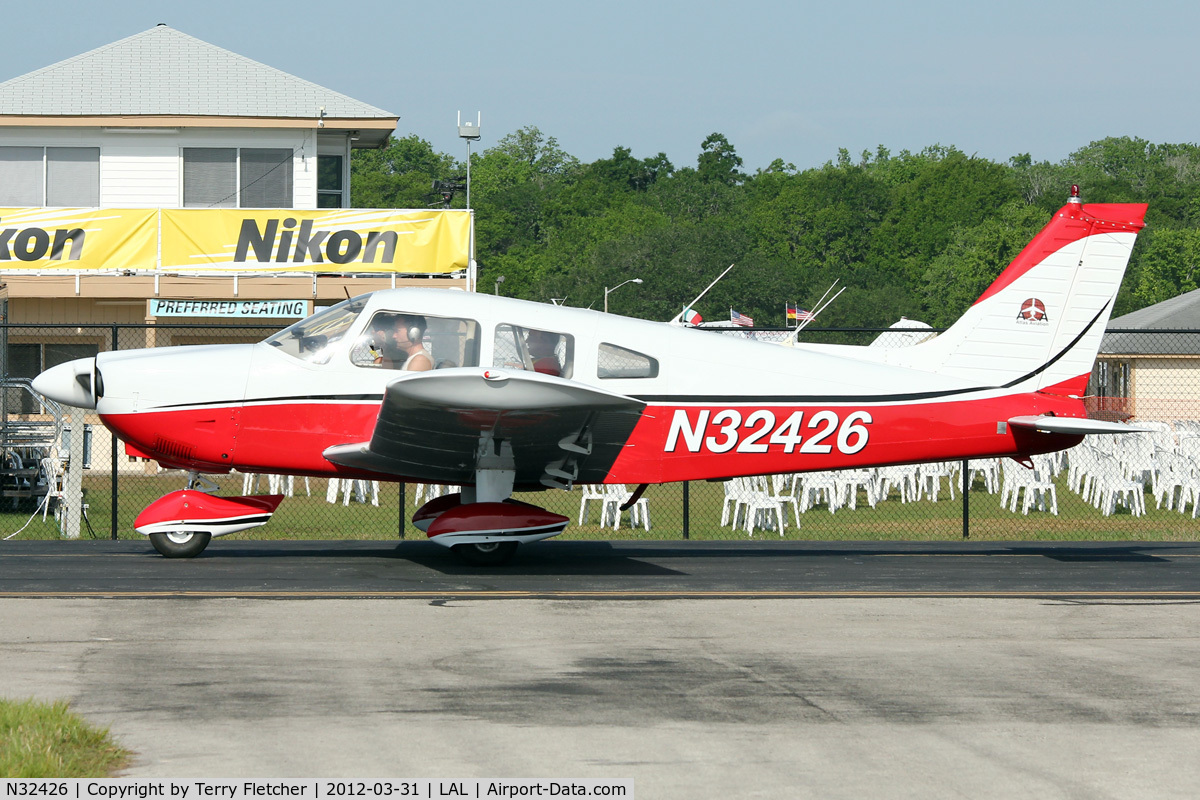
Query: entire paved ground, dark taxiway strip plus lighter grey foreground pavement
[(697, 670)]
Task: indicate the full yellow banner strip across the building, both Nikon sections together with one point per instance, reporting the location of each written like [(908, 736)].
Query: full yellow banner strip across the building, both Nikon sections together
[(232, 240)]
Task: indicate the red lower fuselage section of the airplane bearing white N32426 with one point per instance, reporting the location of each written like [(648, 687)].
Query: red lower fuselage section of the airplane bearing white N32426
[(670, 443)]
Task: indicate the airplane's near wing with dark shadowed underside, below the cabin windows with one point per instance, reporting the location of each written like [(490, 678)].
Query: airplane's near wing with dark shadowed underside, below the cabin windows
[(441, 426)]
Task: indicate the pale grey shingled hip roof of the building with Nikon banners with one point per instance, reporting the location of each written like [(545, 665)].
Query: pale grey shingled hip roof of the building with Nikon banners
[(165, 73)]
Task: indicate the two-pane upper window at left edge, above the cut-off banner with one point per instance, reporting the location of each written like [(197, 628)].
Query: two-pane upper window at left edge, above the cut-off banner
[(50, 177)]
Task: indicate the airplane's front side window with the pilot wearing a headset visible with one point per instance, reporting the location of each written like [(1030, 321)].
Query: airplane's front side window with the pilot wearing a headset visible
[(395, 340)]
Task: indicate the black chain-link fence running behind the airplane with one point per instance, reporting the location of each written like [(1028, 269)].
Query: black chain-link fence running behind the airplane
[(1142, 486)]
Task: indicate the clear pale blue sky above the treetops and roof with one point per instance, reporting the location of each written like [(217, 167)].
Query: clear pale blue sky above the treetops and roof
[(793, 81)]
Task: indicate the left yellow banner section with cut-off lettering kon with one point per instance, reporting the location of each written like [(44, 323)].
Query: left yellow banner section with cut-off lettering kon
[(79, 239)]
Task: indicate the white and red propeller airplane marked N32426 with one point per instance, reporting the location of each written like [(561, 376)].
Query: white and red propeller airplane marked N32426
[(500, 395)]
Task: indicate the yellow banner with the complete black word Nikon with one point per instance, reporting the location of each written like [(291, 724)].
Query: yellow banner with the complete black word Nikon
[(344, 240)]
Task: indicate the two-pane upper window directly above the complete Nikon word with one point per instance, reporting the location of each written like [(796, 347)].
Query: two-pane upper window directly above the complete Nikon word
[(231, 178)]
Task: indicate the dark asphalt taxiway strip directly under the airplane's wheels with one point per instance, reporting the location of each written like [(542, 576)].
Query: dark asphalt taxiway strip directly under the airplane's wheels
[(611, 570)]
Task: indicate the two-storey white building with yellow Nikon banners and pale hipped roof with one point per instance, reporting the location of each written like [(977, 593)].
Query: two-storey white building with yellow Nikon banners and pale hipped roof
[(165, 140)]
